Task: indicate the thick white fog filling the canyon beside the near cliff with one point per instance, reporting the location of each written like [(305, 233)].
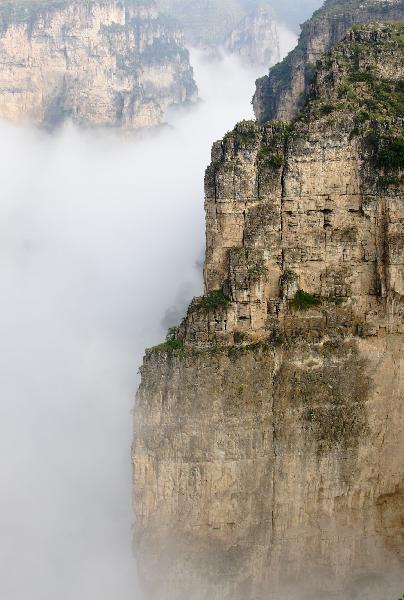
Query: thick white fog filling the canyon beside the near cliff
[(99, 235)]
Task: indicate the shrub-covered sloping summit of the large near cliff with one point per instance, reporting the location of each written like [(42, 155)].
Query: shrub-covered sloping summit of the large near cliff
[(362, 75)]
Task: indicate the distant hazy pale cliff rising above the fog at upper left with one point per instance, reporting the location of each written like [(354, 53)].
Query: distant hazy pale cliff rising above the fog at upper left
[(98, 63)]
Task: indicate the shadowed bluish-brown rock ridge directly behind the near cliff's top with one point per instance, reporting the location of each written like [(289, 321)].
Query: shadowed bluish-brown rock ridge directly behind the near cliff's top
[(282, 93)]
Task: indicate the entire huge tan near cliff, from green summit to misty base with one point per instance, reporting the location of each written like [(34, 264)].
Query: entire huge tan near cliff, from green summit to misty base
[(269, 448)]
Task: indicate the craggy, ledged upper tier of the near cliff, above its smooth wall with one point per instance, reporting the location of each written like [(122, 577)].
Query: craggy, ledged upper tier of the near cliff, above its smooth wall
[(298, 241)]
